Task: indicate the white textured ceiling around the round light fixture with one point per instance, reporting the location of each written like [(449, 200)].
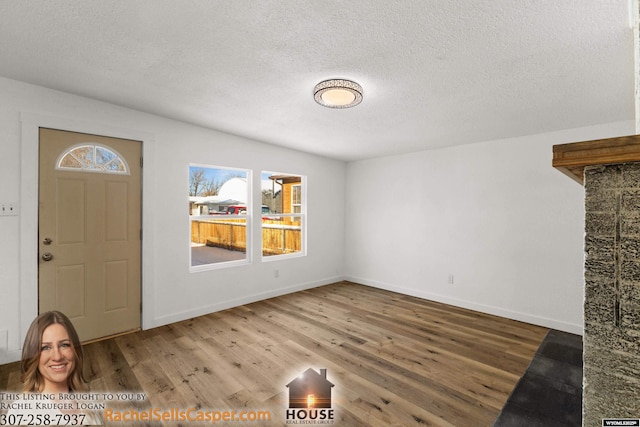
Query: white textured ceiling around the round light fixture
[(434, 72)]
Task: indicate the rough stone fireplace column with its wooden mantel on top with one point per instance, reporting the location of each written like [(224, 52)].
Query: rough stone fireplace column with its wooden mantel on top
[(609, 169)]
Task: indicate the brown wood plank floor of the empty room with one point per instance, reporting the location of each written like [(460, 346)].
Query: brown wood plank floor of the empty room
[(394, 359)]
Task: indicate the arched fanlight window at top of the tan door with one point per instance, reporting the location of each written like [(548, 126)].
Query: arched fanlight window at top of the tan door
[(89, 157)]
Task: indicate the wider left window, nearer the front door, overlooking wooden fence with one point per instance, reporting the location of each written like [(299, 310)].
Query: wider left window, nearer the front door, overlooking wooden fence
[(219, 212)]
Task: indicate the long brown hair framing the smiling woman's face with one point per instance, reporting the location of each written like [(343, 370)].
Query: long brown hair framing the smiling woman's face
[(31, 377)]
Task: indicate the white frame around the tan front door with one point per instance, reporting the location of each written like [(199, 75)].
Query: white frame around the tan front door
[(29, 158)]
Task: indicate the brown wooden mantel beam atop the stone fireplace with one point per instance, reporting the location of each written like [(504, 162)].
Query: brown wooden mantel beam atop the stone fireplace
[(572, 158)]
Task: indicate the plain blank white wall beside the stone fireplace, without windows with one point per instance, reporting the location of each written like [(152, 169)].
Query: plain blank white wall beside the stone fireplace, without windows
[(496, 215)]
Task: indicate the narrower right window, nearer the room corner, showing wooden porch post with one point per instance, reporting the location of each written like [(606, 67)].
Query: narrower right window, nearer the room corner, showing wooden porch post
[(282, 231)]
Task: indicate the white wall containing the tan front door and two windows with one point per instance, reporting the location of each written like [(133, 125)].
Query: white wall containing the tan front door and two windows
[(170, 292)]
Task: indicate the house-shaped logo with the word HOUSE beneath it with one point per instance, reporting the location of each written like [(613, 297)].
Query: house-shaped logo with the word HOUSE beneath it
[(310, 399)]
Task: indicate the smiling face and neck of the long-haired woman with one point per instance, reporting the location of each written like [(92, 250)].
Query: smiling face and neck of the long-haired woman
[(56, 358)]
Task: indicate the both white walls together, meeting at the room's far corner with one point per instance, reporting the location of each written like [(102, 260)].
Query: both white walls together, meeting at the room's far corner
[(496, 215)]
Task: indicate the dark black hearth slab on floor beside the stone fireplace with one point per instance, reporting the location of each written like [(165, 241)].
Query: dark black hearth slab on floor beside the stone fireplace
[(550, 391)]
